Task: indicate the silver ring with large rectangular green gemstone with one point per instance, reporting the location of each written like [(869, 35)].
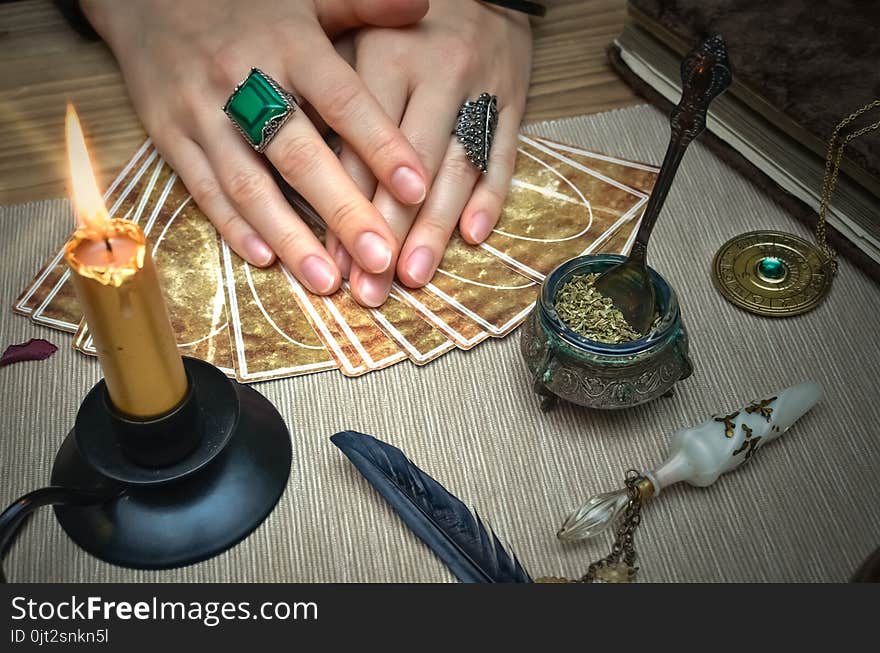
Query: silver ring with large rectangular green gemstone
[(258, 107)]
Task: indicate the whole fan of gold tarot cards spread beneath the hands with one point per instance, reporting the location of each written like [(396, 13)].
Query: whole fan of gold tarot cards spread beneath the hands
[(260, 324)]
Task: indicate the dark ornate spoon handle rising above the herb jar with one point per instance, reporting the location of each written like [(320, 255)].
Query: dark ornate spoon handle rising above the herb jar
[(705, 74)]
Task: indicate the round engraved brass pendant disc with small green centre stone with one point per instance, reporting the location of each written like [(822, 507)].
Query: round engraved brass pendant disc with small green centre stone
[(772, 273)]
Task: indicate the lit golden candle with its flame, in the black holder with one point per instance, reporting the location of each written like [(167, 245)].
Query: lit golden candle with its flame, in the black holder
[(118, 290)]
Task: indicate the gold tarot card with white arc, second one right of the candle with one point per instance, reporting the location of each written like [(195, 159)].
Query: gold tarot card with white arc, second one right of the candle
[(271, 336)]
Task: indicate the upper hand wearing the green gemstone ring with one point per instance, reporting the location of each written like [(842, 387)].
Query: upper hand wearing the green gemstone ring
[(181, 61)]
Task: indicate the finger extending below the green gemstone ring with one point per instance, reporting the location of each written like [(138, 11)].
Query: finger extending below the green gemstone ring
[(309, 166)]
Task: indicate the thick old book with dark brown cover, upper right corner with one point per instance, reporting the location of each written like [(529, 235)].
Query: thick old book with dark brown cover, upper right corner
[(798, 71)]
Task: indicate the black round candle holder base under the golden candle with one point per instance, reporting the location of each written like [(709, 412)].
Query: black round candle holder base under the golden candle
[(189, 509)]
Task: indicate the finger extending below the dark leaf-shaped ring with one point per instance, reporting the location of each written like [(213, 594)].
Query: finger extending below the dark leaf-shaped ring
[(434, 224)]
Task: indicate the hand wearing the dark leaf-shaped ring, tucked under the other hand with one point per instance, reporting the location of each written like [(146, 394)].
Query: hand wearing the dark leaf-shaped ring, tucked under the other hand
[(421, 75)]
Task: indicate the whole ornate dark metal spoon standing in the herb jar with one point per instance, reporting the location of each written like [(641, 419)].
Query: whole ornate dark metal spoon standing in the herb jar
[(705, 73)]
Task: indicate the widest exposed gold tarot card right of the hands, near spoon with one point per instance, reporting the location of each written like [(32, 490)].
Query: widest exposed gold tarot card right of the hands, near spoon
[(558, 209)]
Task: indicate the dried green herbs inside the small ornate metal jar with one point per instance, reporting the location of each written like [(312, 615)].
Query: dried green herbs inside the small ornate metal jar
[(587, 312)]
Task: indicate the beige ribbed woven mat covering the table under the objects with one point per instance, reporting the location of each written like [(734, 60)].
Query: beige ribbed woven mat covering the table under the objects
[(805, 509)]
